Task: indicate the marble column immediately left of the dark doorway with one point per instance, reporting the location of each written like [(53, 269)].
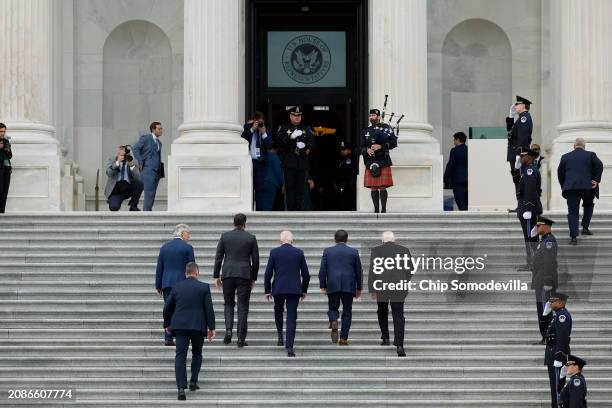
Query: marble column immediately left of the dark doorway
[(209, 165)]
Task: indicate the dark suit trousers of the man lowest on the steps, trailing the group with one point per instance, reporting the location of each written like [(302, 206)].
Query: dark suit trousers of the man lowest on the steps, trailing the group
[(183, 337)]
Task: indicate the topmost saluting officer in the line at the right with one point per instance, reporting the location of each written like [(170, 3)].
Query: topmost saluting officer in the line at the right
[(519, 134)]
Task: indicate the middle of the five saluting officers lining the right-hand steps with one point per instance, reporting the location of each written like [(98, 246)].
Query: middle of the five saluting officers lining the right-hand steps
[(544, 278)]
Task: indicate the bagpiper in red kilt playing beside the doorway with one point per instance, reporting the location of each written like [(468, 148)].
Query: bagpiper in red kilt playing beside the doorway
[(377, 140)]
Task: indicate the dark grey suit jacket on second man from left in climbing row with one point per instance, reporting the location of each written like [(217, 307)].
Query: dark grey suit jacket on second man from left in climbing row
[(237, 251)]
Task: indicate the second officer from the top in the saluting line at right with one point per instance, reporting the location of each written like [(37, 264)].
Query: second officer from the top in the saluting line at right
[(529, 205)]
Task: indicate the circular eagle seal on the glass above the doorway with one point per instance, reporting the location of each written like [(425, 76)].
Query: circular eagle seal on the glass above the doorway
[(306, 59)]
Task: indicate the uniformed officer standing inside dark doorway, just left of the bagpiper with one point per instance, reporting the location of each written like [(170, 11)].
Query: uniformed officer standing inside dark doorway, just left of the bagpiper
[(345, 180)]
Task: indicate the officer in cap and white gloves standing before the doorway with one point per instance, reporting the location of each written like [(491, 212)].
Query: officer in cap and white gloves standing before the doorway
[(295, 142)]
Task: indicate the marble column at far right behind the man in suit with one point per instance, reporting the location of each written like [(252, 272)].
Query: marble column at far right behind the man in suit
[(585, 55)]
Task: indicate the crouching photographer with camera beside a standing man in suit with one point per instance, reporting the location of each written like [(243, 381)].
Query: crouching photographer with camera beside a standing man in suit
[(123, 180)]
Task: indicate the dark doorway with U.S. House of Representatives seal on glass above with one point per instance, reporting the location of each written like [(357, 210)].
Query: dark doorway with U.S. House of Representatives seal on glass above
[(328, 77)]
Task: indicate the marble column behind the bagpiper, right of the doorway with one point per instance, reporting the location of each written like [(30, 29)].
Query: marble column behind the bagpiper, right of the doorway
[(398, 67)]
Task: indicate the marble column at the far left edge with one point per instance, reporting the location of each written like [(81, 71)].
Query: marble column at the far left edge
[(26, 75)]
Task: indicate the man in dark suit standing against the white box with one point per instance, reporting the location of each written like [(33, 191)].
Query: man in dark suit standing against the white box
[(455, 174)]
